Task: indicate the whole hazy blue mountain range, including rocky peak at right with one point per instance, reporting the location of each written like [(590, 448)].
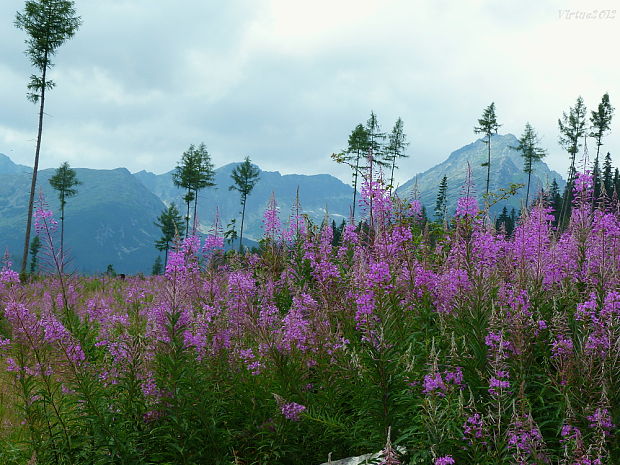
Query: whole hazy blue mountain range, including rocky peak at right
[(111, 220)]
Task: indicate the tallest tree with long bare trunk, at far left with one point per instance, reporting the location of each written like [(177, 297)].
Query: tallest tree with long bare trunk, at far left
[(48, 23)]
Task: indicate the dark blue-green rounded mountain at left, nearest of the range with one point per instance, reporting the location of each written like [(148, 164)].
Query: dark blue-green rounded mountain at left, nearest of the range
[(110, 221)]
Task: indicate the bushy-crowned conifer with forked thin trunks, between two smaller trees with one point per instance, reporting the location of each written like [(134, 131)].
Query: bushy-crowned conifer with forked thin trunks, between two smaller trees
[(194, 173)]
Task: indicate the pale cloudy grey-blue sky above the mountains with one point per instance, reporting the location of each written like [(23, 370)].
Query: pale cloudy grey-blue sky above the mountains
[(286, 81)]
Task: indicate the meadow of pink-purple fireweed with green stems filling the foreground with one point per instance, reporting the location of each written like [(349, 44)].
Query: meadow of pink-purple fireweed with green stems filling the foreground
[(468, 346)]
